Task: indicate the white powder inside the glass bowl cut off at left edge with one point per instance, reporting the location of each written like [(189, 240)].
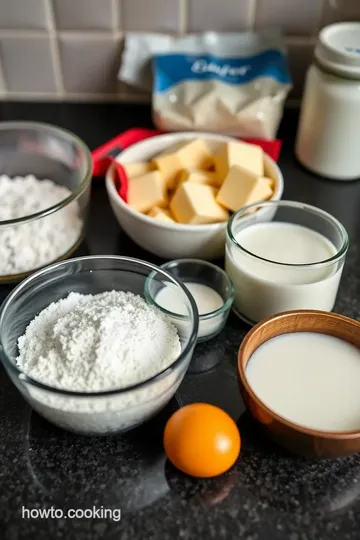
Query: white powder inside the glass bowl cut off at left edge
[(37, 243)]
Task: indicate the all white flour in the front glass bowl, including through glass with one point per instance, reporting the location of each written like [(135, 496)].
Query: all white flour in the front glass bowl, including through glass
[(100, 342)]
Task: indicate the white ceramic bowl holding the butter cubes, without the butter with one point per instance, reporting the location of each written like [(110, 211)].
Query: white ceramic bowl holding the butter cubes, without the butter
[(175, 240)]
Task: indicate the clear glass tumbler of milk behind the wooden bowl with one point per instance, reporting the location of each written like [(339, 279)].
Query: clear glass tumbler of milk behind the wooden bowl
[(288, 256)]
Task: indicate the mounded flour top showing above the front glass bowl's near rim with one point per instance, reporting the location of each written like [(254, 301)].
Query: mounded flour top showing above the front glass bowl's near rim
[(93, 343)]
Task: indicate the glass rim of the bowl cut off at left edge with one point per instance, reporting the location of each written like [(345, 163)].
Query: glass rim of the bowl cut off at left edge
[(42, 126)]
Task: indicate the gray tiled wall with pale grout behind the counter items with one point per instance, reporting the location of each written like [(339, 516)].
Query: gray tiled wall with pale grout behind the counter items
[(71, 49)]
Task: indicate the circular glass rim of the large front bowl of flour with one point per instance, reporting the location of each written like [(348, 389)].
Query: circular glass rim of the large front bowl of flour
[(8, 364)]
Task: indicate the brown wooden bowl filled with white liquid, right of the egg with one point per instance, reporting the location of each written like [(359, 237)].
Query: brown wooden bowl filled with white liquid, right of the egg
[(299, 376)]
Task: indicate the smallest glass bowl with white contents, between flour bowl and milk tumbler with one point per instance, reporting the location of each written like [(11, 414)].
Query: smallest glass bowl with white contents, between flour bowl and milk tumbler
[(210, 287)]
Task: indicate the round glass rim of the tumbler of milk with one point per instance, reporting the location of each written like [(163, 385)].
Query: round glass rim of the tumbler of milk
[(300, 206)]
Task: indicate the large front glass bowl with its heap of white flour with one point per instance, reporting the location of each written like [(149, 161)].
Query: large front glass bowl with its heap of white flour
[(85, 348)]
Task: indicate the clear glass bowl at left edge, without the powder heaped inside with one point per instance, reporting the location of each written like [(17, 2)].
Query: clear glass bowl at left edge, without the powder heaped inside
[(45, 151)]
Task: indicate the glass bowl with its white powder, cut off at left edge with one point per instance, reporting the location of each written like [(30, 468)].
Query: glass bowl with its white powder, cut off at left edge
[(45, 180)]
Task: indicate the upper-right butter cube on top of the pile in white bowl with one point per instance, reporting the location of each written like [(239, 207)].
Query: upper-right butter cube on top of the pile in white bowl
[(247, 156)]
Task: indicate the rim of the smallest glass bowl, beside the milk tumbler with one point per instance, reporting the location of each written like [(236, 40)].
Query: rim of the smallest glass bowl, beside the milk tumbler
[(206, 316)]
